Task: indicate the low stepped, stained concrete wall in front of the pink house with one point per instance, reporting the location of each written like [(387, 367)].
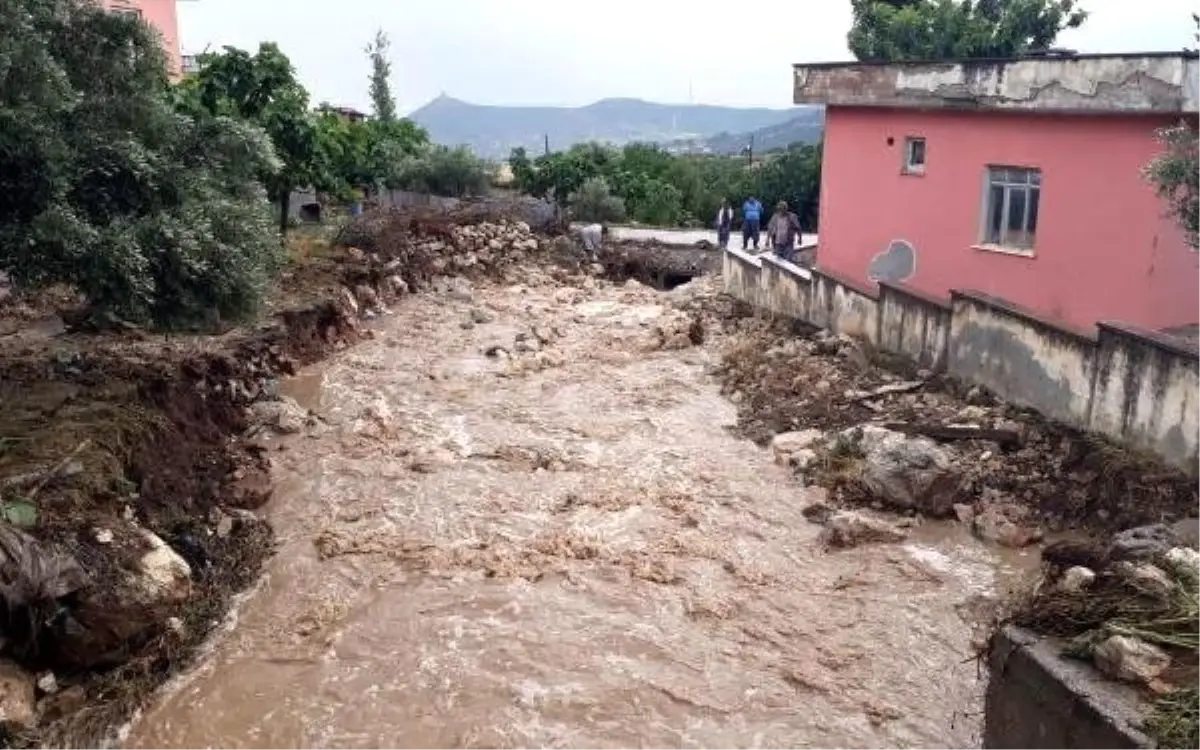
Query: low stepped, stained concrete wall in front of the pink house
[(1136, 387)]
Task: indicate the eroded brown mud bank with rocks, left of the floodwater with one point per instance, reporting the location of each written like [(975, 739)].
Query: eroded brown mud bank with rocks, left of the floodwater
[(129, 489)]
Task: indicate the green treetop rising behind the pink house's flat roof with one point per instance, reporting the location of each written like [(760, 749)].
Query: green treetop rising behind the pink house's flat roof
[(901, 31)]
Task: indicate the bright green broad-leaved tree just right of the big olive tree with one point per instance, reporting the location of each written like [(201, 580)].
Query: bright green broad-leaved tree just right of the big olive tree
[(263, 89)]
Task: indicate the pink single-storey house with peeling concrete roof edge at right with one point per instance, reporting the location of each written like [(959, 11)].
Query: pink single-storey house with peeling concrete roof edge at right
[(1022, 179)]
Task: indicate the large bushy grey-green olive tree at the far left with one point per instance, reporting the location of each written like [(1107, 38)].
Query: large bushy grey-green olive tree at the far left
[(104, 187)]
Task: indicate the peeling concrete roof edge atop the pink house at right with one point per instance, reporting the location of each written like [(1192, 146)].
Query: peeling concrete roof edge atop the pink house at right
[(1149, 83)]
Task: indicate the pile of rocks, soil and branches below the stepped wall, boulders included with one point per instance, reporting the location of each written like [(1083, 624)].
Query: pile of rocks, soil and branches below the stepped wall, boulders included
[(911, 441)]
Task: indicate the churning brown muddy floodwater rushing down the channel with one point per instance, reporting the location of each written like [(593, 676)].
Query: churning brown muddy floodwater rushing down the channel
[(568, 549)]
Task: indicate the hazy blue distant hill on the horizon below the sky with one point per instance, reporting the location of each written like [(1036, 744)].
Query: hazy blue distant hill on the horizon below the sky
[(494, 131)]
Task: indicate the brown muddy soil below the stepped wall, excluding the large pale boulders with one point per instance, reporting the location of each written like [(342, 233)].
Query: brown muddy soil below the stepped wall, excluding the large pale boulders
[(789, 377)]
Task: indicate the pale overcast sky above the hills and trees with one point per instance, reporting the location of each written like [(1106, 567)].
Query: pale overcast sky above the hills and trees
[(556, 52)]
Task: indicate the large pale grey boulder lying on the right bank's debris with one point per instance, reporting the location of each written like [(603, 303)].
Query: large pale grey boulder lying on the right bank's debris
[(908, 473)]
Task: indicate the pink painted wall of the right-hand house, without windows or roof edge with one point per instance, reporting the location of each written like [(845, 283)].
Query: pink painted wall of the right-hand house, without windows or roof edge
[(1105, 249)]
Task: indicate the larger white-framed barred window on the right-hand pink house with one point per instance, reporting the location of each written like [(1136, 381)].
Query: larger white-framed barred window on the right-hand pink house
[(1011, 202)]
